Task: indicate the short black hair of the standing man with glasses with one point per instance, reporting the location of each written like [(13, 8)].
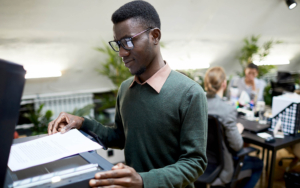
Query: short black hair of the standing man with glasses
[(143, 11)]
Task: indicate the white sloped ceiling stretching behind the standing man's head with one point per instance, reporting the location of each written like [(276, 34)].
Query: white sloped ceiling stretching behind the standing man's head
[(64, 33)]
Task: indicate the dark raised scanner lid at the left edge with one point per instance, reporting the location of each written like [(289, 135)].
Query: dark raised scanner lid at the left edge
[(12, 80)]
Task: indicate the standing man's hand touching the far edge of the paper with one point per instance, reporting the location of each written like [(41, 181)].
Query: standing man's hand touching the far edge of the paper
[(64, 122)]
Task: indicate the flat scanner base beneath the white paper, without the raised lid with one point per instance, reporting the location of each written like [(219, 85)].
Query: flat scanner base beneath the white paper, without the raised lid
[(73, 171)]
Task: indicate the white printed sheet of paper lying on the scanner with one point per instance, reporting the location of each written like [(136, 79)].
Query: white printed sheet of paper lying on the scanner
[(48, 149)]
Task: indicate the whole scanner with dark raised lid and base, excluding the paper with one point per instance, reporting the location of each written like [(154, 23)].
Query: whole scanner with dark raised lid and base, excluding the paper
[(73, 171)]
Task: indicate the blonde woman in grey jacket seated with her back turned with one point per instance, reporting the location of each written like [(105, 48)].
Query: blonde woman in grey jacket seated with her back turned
[(215, 85)]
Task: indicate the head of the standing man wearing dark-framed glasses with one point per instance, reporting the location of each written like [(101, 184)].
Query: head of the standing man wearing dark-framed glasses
[(138, 22)]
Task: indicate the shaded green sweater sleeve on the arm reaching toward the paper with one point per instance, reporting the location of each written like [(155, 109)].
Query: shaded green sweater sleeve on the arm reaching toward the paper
[(112, 136)]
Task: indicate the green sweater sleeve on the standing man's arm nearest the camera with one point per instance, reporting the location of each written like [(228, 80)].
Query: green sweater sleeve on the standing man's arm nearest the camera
[(192, 160)]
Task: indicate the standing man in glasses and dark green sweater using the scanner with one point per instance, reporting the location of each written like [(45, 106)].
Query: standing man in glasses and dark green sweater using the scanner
[(161, 115)]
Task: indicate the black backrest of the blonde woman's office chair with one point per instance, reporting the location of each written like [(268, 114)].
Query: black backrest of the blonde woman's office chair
[(214, 150)]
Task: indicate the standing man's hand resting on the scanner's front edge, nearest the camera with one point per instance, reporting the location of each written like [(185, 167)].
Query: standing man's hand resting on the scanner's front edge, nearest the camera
[(119, 177)]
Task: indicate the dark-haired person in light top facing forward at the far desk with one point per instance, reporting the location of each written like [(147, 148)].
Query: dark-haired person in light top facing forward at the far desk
[(253, 86)]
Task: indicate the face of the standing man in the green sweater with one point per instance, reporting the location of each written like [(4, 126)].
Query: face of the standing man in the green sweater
[(137, 59)]
